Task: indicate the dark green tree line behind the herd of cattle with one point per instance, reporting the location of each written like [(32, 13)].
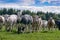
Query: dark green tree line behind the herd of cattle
[(44, 16)]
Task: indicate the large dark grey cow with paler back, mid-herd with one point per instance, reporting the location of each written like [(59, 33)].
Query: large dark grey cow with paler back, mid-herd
[(27, 19)]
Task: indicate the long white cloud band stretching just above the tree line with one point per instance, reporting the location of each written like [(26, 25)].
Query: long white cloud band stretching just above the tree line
[(53, 9)]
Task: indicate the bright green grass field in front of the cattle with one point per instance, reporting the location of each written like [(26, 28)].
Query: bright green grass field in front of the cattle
[(51, 35)]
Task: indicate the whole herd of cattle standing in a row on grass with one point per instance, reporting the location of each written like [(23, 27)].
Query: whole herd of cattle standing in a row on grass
[(27, 22)]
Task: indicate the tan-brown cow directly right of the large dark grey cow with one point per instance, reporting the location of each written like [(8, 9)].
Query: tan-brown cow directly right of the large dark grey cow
[(36, 23)]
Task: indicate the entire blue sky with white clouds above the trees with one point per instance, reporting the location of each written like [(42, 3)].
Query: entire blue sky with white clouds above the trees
[(33, 5)]
